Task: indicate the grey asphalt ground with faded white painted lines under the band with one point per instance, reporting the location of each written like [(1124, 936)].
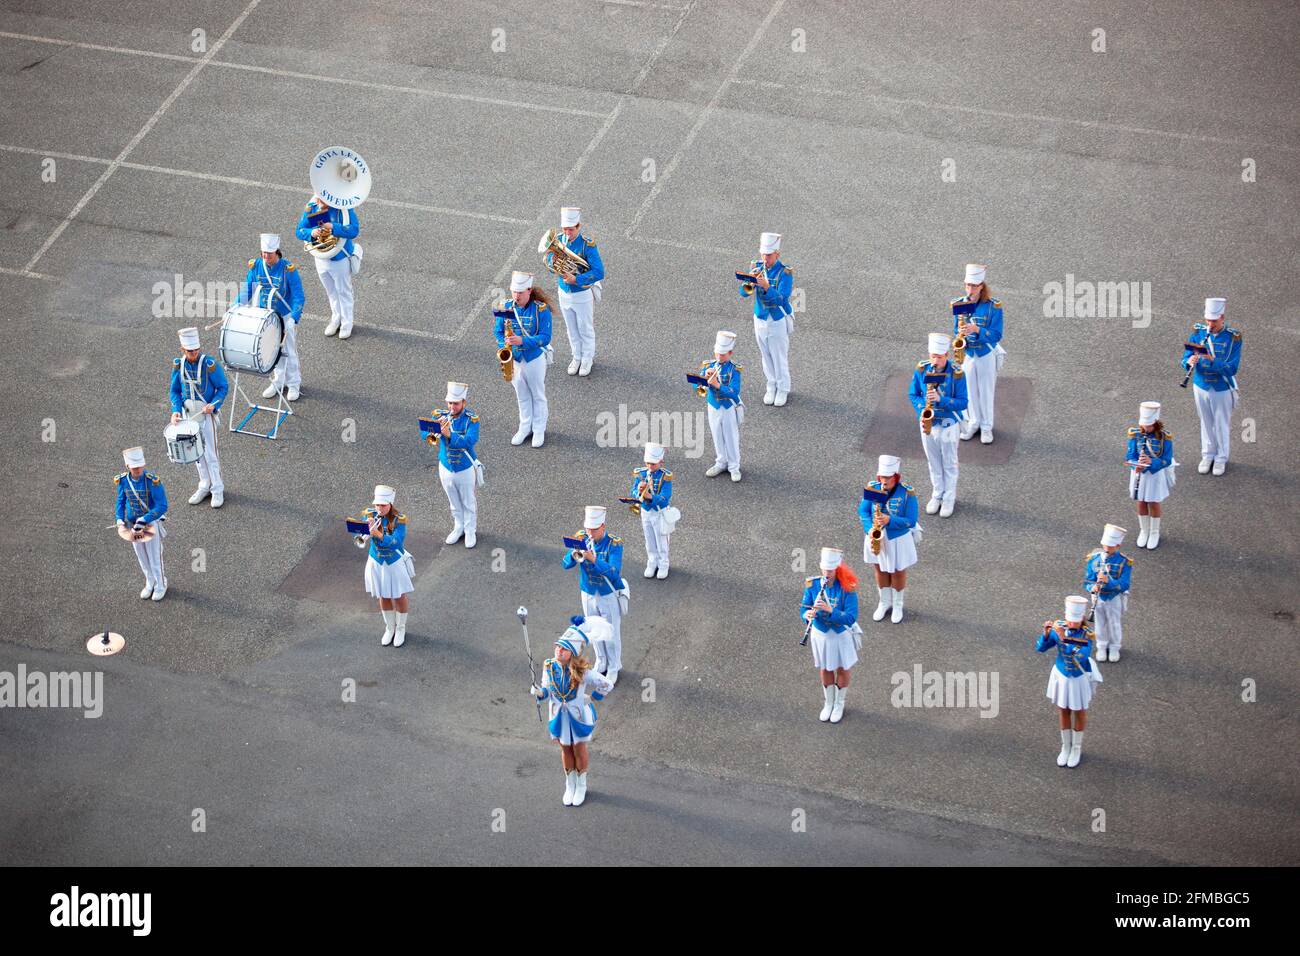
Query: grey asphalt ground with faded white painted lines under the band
[(1116, 167)]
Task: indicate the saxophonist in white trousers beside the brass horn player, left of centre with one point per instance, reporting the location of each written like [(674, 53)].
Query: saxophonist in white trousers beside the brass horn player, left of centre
[(531, 347)]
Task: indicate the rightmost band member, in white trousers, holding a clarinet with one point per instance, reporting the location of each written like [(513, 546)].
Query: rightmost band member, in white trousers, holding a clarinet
[(1212, 356)]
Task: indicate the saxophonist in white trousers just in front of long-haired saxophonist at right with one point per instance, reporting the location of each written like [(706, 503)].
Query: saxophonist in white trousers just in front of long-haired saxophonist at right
[(947, 400)]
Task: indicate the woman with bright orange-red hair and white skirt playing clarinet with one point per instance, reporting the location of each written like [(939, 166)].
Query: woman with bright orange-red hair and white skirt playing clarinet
[(831, 611)]
